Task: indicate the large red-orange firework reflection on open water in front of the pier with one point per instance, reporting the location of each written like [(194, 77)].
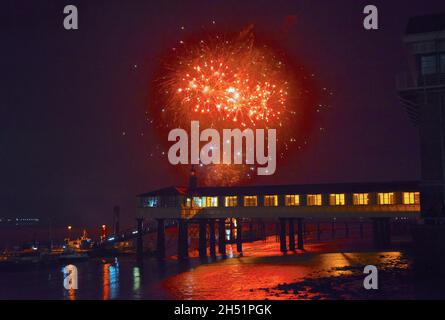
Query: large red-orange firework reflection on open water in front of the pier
[(259, 278)]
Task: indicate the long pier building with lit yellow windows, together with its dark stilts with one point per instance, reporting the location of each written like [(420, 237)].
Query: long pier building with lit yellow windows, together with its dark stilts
[(284, 204)]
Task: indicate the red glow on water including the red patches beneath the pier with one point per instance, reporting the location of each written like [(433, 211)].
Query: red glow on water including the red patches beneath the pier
[(263, 267)]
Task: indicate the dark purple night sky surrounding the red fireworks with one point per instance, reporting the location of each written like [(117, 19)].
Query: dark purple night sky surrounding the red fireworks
[(67, 97)]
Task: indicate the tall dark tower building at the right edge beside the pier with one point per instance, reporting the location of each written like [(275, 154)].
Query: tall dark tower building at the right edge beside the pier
[(422, 92)]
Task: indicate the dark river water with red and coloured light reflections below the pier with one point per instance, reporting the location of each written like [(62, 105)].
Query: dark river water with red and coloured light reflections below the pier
[(261, 273)]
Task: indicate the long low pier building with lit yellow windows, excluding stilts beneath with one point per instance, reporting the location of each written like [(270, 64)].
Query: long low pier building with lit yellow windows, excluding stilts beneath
[(392, 199)]
